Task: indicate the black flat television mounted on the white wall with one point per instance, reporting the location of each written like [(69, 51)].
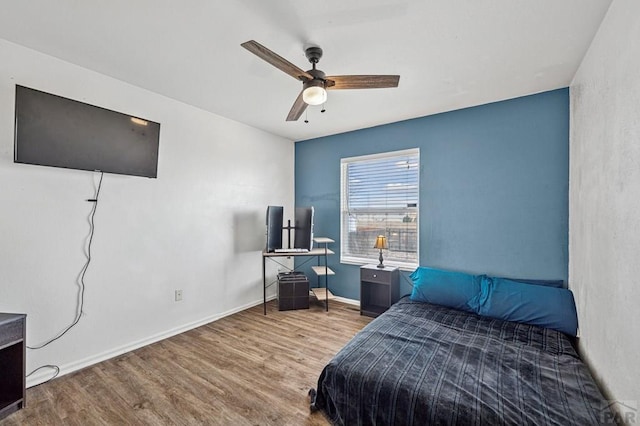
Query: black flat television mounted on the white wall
[(54, 131)]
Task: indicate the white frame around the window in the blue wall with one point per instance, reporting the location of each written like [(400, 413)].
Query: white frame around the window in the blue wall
[(344, 209)]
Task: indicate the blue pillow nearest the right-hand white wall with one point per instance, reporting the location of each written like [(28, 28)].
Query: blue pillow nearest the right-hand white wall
[(544, 306)]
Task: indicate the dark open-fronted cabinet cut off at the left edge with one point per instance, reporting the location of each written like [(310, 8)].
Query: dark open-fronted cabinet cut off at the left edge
[(12, 363)]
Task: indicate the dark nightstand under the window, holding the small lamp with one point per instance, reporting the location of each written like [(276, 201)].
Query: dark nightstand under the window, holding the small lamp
[(379, 289)]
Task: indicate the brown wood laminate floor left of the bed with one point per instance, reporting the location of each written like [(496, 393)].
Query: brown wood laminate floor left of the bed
[(245, 369)]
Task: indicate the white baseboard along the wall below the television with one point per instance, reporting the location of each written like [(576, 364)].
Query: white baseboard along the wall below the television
[(45, 374)]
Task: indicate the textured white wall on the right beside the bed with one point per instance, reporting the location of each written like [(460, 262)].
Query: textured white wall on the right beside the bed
[(604, 204)]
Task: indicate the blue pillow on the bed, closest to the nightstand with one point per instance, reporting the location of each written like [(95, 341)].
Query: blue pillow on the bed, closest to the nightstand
[(453, 289)]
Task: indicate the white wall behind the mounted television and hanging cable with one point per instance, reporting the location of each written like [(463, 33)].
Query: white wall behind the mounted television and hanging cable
[(198, 227)]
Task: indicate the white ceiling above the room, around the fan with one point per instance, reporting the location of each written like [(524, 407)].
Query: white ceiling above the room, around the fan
[(450, 54)]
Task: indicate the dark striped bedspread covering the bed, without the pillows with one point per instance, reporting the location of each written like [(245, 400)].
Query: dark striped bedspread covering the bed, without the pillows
[(421, 363)]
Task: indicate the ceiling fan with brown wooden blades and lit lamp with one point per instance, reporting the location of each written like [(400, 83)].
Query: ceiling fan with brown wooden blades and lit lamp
[(314, 82)]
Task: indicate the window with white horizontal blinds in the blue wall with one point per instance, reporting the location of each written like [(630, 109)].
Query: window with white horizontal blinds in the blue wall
[(380, 197)]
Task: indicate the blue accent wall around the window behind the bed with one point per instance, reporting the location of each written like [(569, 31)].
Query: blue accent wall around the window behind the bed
[(494, 183)]
